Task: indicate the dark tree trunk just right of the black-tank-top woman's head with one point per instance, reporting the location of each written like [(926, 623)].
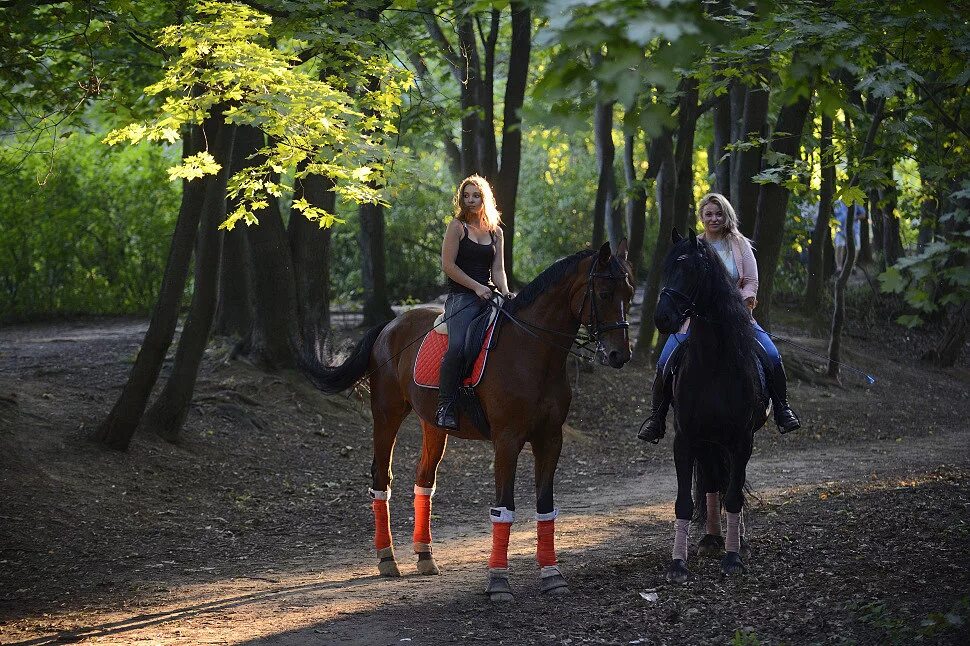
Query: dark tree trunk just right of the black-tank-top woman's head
[(515, 83)]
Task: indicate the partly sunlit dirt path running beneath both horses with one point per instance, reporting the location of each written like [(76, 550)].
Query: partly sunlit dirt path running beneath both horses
[(340, 600)]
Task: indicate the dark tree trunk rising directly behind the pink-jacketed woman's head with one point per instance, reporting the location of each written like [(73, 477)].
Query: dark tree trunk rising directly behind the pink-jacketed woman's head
[(746, 164)]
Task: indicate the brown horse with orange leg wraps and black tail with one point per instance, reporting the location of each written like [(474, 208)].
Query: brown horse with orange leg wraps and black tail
[(525, 394)]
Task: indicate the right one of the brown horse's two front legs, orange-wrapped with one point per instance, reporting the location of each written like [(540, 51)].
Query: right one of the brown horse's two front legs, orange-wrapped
[(546, 450)]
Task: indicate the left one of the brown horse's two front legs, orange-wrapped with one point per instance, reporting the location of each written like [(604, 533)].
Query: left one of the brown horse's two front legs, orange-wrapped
[(502, 516)]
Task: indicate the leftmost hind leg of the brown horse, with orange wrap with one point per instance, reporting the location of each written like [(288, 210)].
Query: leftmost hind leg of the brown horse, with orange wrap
[(388, 414)]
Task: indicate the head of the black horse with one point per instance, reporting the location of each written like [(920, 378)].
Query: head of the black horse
[(685, 273)]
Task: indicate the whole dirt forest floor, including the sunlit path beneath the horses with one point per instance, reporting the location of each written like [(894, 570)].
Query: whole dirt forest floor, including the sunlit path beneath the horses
[(256, 528)]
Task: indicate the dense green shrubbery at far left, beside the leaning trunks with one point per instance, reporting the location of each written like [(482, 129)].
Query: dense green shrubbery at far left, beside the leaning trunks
[(86, 231)]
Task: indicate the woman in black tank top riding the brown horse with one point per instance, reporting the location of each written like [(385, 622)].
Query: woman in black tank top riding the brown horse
[(472, 259)]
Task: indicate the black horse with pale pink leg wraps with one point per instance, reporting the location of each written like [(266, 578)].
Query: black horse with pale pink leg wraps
[(719, 398)]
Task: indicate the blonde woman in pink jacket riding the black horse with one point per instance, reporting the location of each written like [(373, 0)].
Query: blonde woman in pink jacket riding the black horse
[(721, 232)]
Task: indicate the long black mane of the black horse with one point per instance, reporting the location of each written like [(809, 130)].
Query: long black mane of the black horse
[(719, 300)]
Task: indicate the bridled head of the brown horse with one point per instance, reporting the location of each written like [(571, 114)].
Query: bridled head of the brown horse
[(602, 298)]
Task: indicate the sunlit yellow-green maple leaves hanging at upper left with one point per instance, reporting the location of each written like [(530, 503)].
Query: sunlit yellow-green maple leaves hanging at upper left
[(226, 66)]
